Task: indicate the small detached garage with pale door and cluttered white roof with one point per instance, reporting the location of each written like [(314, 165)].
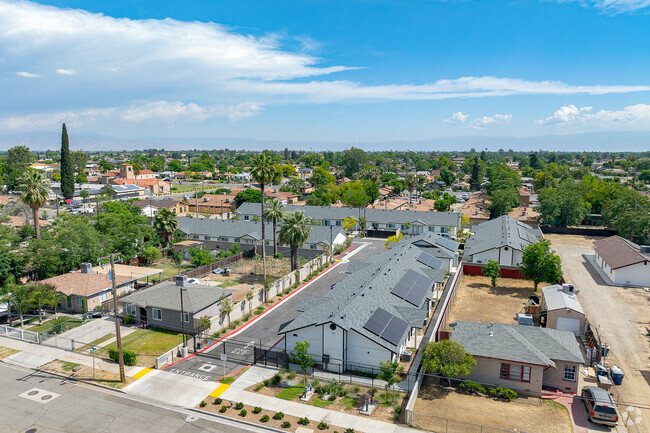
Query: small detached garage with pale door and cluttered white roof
[(560, 309)]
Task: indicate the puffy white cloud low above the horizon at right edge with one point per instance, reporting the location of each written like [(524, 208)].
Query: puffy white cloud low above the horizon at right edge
[(570, 115)]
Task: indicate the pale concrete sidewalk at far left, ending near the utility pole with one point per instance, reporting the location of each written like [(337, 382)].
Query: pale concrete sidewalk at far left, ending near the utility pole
[(34, 355)]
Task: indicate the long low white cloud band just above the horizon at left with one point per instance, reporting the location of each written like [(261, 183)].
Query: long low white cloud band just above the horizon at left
[(159, 111)]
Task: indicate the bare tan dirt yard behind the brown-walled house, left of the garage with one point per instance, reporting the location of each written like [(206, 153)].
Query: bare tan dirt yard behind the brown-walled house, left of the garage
[(476, 299)]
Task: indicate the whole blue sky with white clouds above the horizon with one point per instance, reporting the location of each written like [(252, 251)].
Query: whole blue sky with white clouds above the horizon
[(354, 70)]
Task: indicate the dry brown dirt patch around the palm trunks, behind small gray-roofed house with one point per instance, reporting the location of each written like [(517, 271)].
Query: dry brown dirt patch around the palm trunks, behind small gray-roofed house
[(240, 279)]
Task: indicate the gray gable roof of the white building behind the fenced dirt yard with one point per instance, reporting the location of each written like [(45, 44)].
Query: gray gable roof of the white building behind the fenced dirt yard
[(501, 232)]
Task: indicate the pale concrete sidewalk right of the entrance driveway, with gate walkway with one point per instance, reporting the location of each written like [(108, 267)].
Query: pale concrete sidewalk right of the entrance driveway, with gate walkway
[(256, 374)]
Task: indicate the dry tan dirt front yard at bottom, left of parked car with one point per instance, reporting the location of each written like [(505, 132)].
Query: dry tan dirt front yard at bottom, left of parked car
[(526, 415)]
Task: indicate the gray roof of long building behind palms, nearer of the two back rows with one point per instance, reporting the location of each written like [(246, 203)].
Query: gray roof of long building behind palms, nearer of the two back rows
[(216, 228)]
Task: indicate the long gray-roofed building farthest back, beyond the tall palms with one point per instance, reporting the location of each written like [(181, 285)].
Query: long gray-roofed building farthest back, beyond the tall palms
[(389, 221)]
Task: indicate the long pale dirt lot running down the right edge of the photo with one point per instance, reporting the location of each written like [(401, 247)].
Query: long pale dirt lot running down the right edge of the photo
[(622, 317)]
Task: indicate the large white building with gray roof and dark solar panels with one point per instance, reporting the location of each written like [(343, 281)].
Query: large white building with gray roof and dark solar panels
[(372, 315)]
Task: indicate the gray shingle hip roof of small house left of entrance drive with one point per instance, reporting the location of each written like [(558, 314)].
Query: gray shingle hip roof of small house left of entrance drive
[(166, 295)]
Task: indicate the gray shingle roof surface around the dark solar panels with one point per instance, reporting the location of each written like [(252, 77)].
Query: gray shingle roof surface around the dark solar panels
[(352, 301)]
